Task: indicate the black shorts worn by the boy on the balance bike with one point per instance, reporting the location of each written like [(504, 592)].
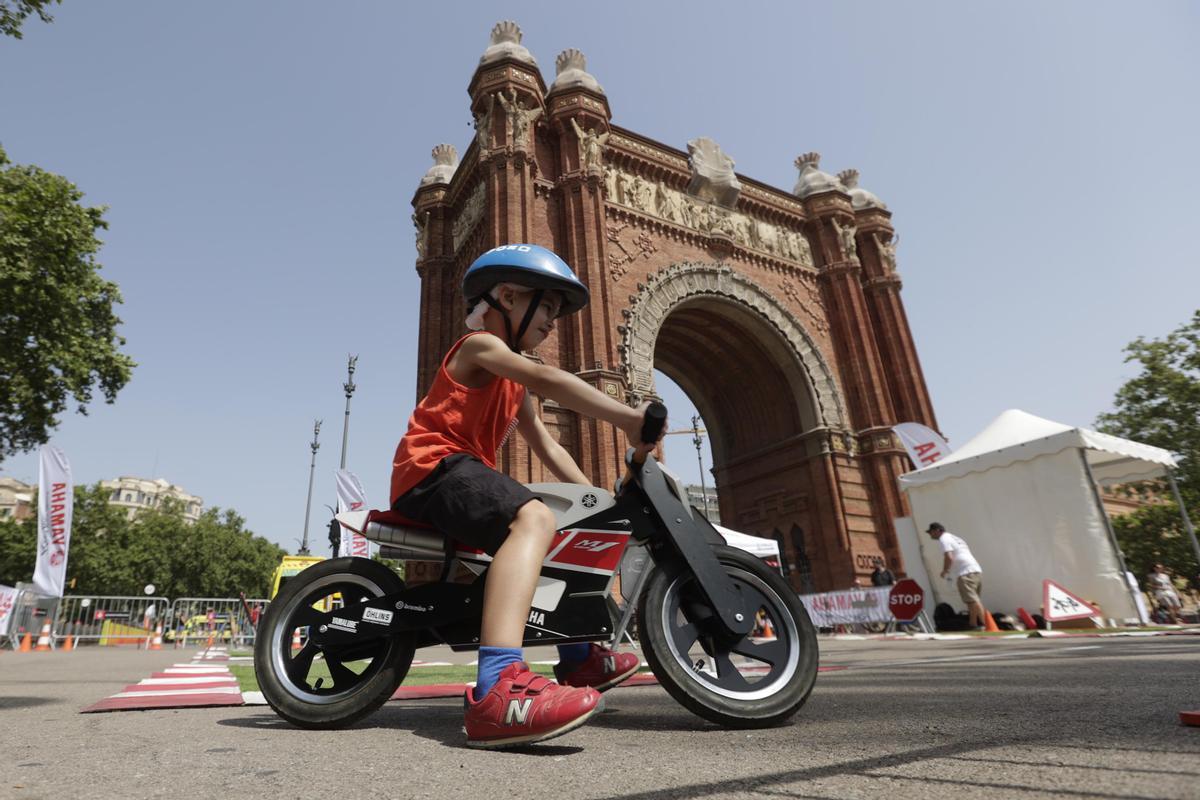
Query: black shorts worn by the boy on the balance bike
[(467, 501)]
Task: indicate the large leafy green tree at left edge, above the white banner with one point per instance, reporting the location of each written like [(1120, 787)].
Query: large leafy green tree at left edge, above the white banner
[(58, 332)]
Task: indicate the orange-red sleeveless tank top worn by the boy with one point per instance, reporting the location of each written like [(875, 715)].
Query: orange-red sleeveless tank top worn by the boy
[(455, 419)]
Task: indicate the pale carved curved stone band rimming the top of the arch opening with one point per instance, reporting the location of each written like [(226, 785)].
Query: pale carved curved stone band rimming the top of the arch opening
[(667, 290)]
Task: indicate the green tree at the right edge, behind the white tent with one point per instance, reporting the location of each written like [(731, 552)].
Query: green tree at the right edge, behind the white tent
[(1161, 407)]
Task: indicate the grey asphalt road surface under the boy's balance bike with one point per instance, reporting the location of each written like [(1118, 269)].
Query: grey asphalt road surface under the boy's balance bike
[(1089, 718)]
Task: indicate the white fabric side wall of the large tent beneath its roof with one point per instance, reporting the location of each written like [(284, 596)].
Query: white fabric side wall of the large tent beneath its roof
[(1025, 522)]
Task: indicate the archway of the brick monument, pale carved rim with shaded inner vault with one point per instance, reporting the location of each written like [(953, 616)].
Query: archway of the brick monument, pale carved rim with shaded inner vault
[(769, 398)]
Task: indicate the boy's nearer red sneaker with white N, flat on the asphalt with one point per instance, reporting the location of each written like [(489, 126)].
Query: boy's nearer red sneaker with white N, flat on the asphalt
[(525, 707)]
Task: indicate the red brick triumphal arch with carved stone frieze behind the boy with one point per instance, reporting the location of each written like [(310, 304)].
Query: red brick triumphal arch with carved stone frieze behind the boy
[(778, 312)]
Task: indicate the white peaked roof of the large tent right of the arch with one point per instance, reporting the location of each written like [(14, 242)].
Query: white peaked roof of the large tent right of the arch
[(1017, 436)]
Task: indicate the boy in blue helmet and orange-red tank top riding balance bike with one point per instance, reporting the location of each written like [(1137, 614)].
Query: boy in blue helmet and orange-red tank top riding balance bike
[(445, 476)]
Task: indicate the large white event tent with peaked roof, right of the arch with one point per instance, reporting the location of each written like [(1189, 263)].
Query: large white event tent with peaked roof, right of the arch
[(1023, 495)]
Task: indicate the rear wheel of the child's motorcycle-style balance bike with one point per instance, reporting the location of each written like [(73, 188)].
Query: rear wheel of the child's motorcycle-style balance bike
[(286, 678)]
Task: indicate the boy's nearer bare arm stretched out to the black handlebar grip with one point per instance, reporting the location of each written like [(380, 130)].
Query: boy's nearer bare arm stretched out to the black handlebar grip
[(491, 354)]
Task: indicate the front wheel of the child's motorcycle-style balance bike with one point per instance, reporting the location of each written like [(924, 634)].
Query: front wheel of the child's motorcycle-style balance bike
[(674, 619)]
